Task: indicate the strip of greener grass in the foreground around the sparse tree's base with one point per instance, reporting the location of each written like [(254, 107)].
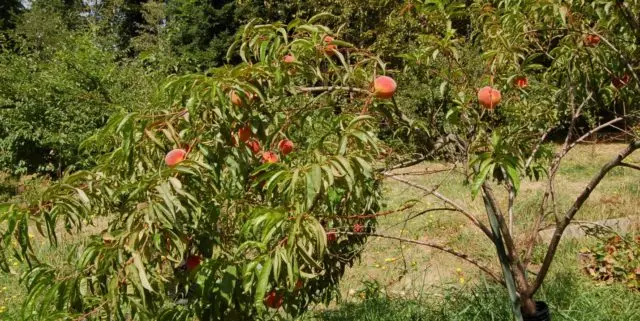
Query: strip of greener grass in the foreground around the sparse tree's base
[(571, 298)]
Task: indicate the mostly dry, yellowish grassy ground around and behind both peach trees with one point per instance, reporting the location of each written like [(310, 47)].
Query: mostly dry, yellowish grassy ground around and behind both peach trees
[(411, 282)]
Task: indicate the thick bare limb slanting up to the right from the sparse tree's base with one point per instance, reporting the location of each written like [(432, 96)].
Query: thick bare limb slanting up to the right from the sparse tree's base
[(571, 212)]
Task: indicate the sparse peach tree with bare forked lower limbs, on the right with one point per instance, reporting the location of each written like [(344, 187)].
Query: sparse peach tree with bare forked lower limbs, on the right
[(518, 77)]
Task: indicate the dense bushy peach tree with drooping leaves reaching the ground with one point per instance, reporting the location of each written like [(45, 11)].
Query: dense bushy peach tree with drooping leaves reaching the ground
[(224, 203)]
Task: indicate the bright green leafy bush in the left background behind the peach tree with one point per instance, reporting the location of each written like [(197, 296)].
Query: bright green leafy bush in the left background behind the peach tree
[(58, 87)]
